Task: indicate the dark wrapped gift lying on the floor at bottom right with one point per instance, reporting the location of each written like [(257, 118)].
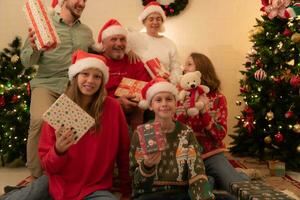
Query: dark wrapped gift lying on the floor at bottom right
[(256, 190)]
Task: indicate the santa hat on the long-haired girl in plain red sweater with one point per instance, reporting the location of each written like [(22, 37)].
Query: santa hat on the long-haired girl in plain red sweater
[(82, 60)]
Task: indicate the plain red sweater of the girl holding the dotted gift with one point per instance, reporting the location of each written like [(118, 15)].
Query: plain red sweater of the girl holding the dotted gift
[(88, 165)]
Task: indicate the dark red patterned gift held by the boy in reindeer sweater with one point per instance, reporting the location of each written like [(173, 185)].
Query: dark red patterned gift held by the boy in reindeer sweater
[(150, 137)]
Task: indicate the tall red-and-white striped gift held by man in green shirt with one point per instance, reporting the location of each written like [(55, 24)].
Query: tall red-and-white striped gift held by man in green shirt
[(38, 19)]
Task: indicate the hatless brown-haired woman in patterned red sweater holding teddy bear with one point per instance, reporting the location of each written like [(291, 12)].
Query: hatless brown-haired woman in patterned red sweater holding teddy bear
[(210, 126)]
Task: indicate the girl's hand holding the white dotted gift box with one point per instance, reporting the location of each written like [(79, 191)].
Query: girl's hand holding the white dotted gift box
[(64, 139)]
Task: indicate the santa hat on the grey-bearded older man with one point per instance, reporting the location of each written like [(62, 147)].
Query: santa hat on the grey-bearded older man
[(110, 28)]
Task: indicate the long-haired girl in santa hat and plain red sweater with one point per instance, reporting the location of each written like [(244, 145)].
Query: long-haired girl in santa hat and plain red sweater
[(84, 170)]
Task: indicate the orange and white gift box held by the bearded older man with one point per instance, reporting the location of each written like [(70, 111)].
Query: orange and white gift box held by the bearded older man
[(130, 87)]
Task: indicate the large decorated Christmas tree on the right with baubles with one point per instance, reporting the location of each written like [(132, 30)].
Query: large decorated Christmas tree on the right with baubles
[(268, 127)]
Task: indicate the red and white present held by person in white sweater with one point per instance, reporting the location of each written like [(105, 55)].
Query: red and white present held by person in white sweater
[(156, 69)]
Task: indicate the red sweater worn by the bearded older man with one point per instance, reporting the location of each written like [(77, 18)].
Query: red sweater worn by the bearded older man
[(122, 68)]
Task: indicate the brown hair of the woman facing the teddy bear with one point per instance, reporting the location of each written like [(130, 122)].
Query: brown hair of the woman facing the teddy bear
[(205, 66)]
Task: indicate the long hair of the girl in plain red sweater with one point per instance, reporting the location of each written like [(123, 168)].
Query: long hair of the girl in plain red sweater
[(95, 108)]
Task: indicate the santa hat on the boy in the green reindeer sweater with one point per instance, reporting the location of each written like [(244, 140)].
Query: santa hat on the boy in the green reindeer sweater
[(153, 87)]
